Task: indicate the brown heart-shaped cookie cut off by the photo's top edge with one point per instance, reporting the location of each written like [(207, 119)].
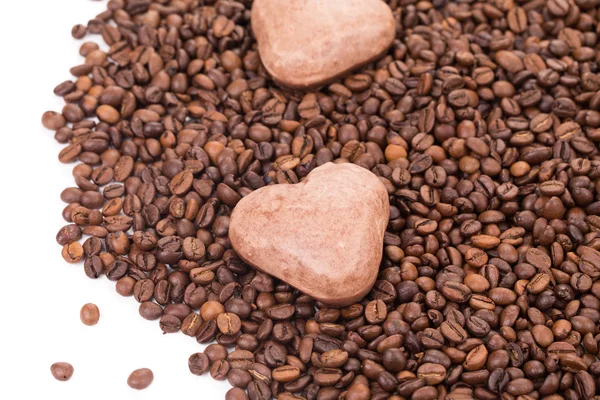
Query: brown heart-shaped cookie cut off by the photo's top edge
[(306, 43)]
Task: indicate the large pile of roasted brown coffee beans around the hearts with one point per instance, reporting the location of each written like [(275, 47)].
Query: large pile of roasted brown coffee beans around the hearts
[(482, 121)]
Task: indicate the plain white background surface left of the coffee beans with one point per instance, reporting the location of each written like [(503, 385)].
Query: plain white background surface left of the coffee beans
[(41, 294)]
